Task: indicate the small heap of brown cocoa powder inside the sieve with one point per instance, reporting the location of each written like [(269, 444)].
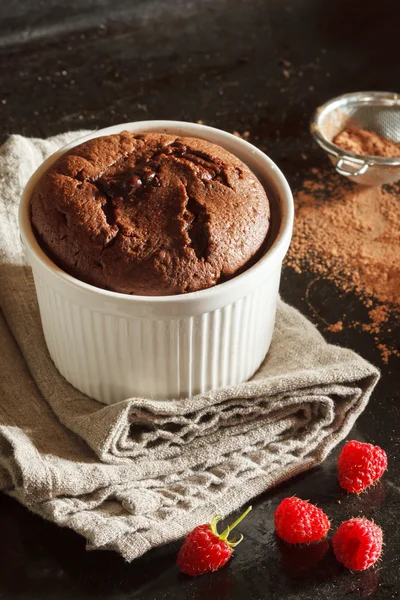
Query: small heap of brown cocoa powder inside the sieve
[(362, 141)]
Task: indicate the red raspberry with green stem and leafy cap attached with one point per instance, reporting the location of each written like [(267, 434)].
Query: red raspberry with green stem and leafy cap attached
[(204, 549)]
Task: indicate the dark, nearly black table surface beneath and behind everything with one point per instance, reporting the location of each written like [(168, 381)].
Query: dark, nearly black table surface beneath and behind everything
[(92, 63)]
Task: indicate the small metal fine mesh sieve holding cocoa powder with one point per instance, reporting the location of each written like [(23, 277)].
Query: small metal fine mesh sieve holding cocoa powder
[(375, 111)]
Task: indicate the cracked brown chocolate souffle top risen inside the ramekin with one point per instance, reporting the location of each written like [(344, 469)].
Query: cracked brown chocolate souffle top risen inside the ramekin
[(150, 214)]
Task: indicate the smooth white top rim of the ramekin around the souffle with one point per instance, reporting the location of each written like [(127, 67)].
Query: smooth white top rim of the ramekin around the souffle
[(277, 250)]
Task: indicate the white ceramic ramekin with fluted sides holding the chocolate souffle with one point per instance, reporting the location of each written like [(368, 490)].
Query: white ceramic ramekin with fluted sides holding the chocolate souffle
[(115, 346)]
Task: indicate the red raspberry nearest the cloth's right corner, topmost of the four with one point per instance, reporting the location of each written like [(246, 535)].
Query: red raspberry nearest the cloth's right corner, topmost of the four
[(360, 465)]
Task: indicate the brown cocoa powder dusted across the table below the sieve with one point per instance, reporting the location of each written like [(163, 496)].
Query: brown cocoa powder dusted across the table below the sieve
[(350, 234)]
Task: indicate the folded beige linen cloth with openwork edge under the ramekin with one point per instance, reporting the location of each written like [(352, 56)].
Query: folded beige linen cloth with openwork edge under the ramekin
[(142, 473)]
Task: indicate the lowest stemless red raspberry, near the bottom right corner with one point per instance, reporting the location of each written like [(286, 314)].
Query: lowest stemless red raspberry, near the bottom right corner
[(358, 543)]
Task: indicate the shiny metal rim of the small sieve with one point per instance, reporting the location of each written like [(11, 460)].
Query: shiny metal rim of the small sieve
[(382, 98)]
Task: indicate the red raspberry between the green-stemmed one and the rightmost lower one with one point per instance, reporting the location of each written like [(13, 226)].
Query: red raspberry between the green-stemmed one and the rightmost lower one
[(299, 522)]
